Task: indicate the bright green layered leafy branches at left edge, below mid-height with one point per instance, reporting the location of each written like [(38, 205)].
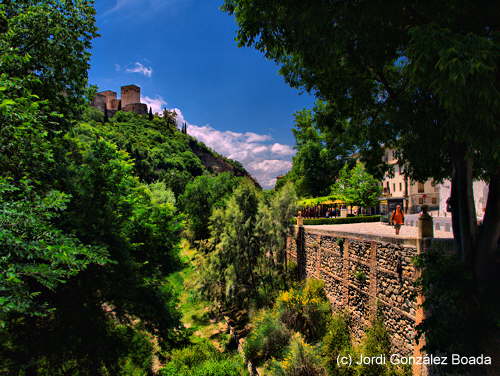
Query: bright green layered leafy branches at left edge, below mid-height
[(37, 257)]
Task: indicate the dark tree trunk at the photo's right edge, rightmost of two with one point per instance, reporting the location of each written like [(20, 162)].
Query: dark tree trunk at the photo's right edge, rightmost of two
[(486, 266)]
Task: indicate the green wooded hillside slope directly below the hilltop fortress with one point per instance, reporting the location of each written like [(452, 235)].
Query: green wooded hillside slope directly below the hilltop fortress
[(159, 150)]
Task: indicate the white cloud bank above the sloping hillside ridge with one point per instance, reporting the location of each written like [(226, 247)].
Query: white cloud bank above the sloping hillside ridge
[(264, 161)]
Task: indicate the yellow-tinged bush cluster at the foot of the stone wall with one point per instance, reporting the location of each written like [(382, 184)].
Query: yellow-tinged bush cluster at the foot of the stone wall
[(275, 342)]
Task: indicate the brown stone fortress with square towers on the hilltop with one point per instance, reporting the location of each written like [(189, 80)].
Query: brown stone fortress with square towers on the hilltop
[(130, 101)]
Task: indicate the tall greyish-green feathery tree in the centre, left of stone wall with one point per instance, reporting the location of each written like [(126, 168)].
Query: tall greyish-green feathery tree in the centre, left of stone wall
[(242, 264)]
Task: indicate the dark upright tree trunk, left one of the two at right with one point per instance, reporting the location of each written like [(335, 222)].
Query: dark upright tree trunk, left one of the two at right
[(464, 220)]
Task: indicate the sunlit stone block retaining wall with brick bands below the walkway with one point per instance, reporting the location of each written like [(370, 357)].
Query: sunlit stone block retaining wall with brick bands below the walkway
[(363, 273)]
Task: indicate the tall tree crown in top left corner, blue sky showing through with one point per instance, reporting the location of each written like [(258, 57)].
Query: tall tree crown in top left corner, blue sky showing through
[(50, 39)]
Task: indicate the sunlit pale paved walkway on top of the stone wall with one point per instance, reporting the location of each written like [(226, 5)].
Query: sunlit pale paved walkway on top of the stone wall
[(380, 229)]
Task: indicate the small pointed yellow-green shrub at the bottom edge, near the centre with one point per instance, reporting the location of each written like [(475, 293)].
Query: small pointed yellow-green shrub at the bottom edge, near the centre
[(301, 360)]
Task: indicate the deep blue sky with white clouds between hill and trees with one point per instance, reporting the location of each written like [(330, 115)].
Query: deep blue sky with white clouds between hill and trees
[(183, 55)]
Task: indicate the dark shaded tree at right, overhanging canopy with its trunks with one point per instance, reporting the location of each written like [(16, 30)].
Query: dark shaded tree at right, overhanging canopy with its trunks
[(403, 75)]
